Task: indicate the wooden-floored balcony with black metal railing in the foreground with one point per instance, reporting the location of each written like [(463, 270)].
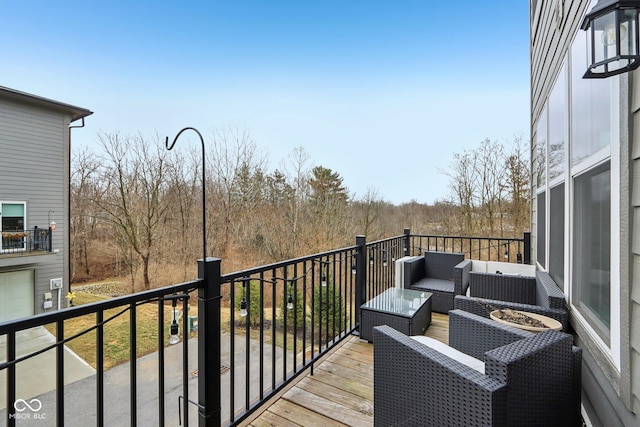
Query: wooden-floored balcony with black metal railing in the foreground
[(259, 333)]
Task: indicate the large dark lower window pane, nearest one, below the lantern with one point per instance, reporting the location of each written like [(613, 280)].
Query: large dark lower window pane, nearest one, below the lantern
[(592, 242)]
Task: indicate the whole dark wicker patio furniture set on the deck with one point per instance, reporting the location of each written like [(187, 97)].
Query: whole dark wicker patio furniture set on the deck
[(490, 374)]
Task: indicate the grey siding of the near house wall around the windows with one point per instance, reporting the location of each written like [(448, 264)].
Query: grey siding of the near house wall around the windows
[(611, 397)]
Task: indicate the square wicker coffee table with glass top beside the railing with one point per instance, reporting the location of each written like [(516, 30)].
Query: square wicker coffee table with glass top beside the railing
[(405, 310)]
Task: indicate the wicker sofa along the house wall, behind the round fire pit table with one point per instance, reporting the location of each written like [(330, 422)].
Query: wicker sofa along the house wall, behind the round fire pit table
[(538, 294)]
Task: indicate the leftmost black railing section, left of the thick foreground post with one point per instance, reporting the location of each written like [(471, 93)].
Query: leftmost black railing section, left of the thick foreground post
[(102, 314)]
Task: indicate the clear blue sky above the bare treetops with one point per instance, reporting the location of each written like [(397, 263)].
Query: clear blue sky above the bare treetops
[(382, 92)]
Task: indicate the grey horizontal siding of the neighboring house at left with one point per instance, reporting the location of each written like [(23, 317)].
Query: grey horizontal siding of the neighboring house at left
[(34, 168)]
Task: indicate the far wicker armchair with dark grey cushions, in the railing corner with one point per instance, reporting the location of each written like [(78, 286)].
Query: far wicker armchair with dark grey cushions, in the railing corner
[(443, 274)]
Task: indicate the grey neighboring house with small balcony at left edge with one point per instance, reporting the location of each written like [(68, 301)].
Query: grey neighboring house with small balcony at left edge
[(34, 202)]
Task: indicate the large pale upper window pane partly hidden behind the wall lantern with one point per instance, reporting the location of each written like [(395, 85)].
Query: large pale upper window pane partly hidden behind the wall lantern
[(590, 106)]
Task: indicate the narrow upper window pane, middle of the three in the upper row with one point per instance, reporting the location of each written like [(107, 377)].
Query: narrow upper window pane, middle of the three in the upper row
[(558, 126)]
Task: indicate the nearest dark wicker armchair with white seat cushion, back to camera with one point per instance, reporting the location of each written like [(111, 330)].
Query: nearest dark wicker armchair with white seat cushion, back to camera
[(527, 379)]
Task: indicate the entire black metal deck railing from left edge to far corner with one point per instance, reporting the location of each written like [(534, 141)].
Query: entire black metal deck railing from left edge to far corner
[(257, 330)]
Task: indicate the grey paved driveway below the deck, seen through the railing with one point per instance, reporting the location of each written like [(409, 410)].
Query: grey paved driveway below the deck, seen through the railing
[(80, 396)]
